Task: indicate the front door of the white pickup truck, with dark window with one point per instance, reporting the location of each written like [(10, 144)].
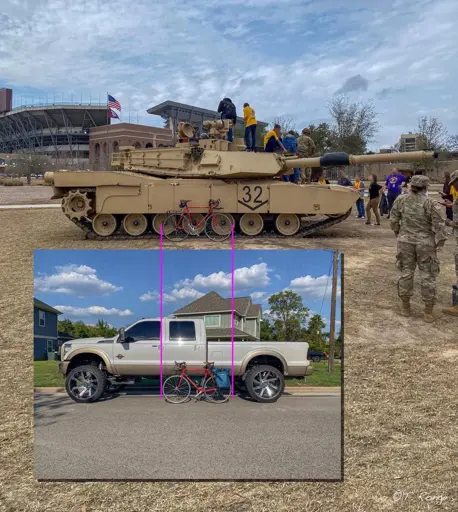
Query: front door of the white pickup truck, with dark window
[(139, 354)]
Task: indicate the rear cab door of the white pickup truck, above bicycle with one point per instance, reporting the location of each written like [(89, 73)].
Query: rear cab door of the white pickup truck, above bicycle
[(184, 341)]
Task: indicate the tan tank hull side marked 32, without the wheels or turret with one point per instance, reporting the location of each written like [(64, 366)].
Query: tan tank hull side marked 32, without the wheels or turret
[(124, 193)]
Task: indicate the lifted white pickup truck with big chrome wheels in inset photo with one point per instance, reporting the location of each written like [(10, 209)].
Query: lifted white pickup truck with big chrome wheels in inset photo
[(92, 366)]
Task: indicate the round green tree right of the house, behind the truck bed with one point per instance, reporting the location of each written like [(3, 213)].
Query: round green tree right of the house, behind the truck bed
[(289, 314)]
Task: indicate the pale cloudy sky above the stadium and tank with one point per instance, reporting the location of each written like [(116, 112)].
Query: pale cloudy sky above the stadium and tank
[(284, 57)]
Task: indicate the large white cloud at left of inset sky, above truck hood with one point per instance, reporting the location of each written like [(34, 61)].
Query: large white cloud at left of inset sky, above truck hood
[(77, 280)]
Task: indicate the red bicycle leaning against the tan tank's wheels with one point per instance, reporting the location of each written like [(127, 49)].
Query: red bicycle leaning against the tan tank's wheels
[(179, 225)]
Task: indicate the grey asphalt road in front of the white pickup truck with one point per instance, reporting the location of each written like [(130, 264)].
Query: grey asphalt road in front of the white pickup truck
[(143, 437)]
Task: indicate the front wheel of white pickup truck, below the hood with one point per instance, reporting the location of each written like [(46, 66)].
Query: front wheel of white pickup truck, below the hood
[(85, 384)]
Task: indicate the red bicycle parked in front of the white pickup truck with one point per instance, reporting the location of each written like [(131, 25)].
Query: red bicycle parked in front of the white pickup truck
[(177, 388)]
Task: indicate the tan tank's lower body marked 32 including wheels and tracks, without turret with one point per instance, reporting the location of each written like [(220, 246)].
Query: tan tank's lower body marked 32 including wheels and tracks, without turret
[(113, 204)]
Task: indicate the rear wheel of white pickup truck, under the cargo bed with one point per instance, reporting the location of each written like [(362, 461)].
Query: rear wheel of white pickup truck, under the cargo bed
[(265, 383)]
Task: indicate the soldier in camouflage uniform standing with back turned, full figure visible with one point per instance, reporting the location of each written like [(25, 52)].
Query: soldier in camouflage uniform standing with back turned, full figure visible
[(420, 230)]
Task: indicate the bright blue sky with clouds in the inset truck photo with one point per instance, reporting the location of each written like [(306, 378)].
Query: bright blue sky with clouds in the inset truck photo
[(123, 286)]
